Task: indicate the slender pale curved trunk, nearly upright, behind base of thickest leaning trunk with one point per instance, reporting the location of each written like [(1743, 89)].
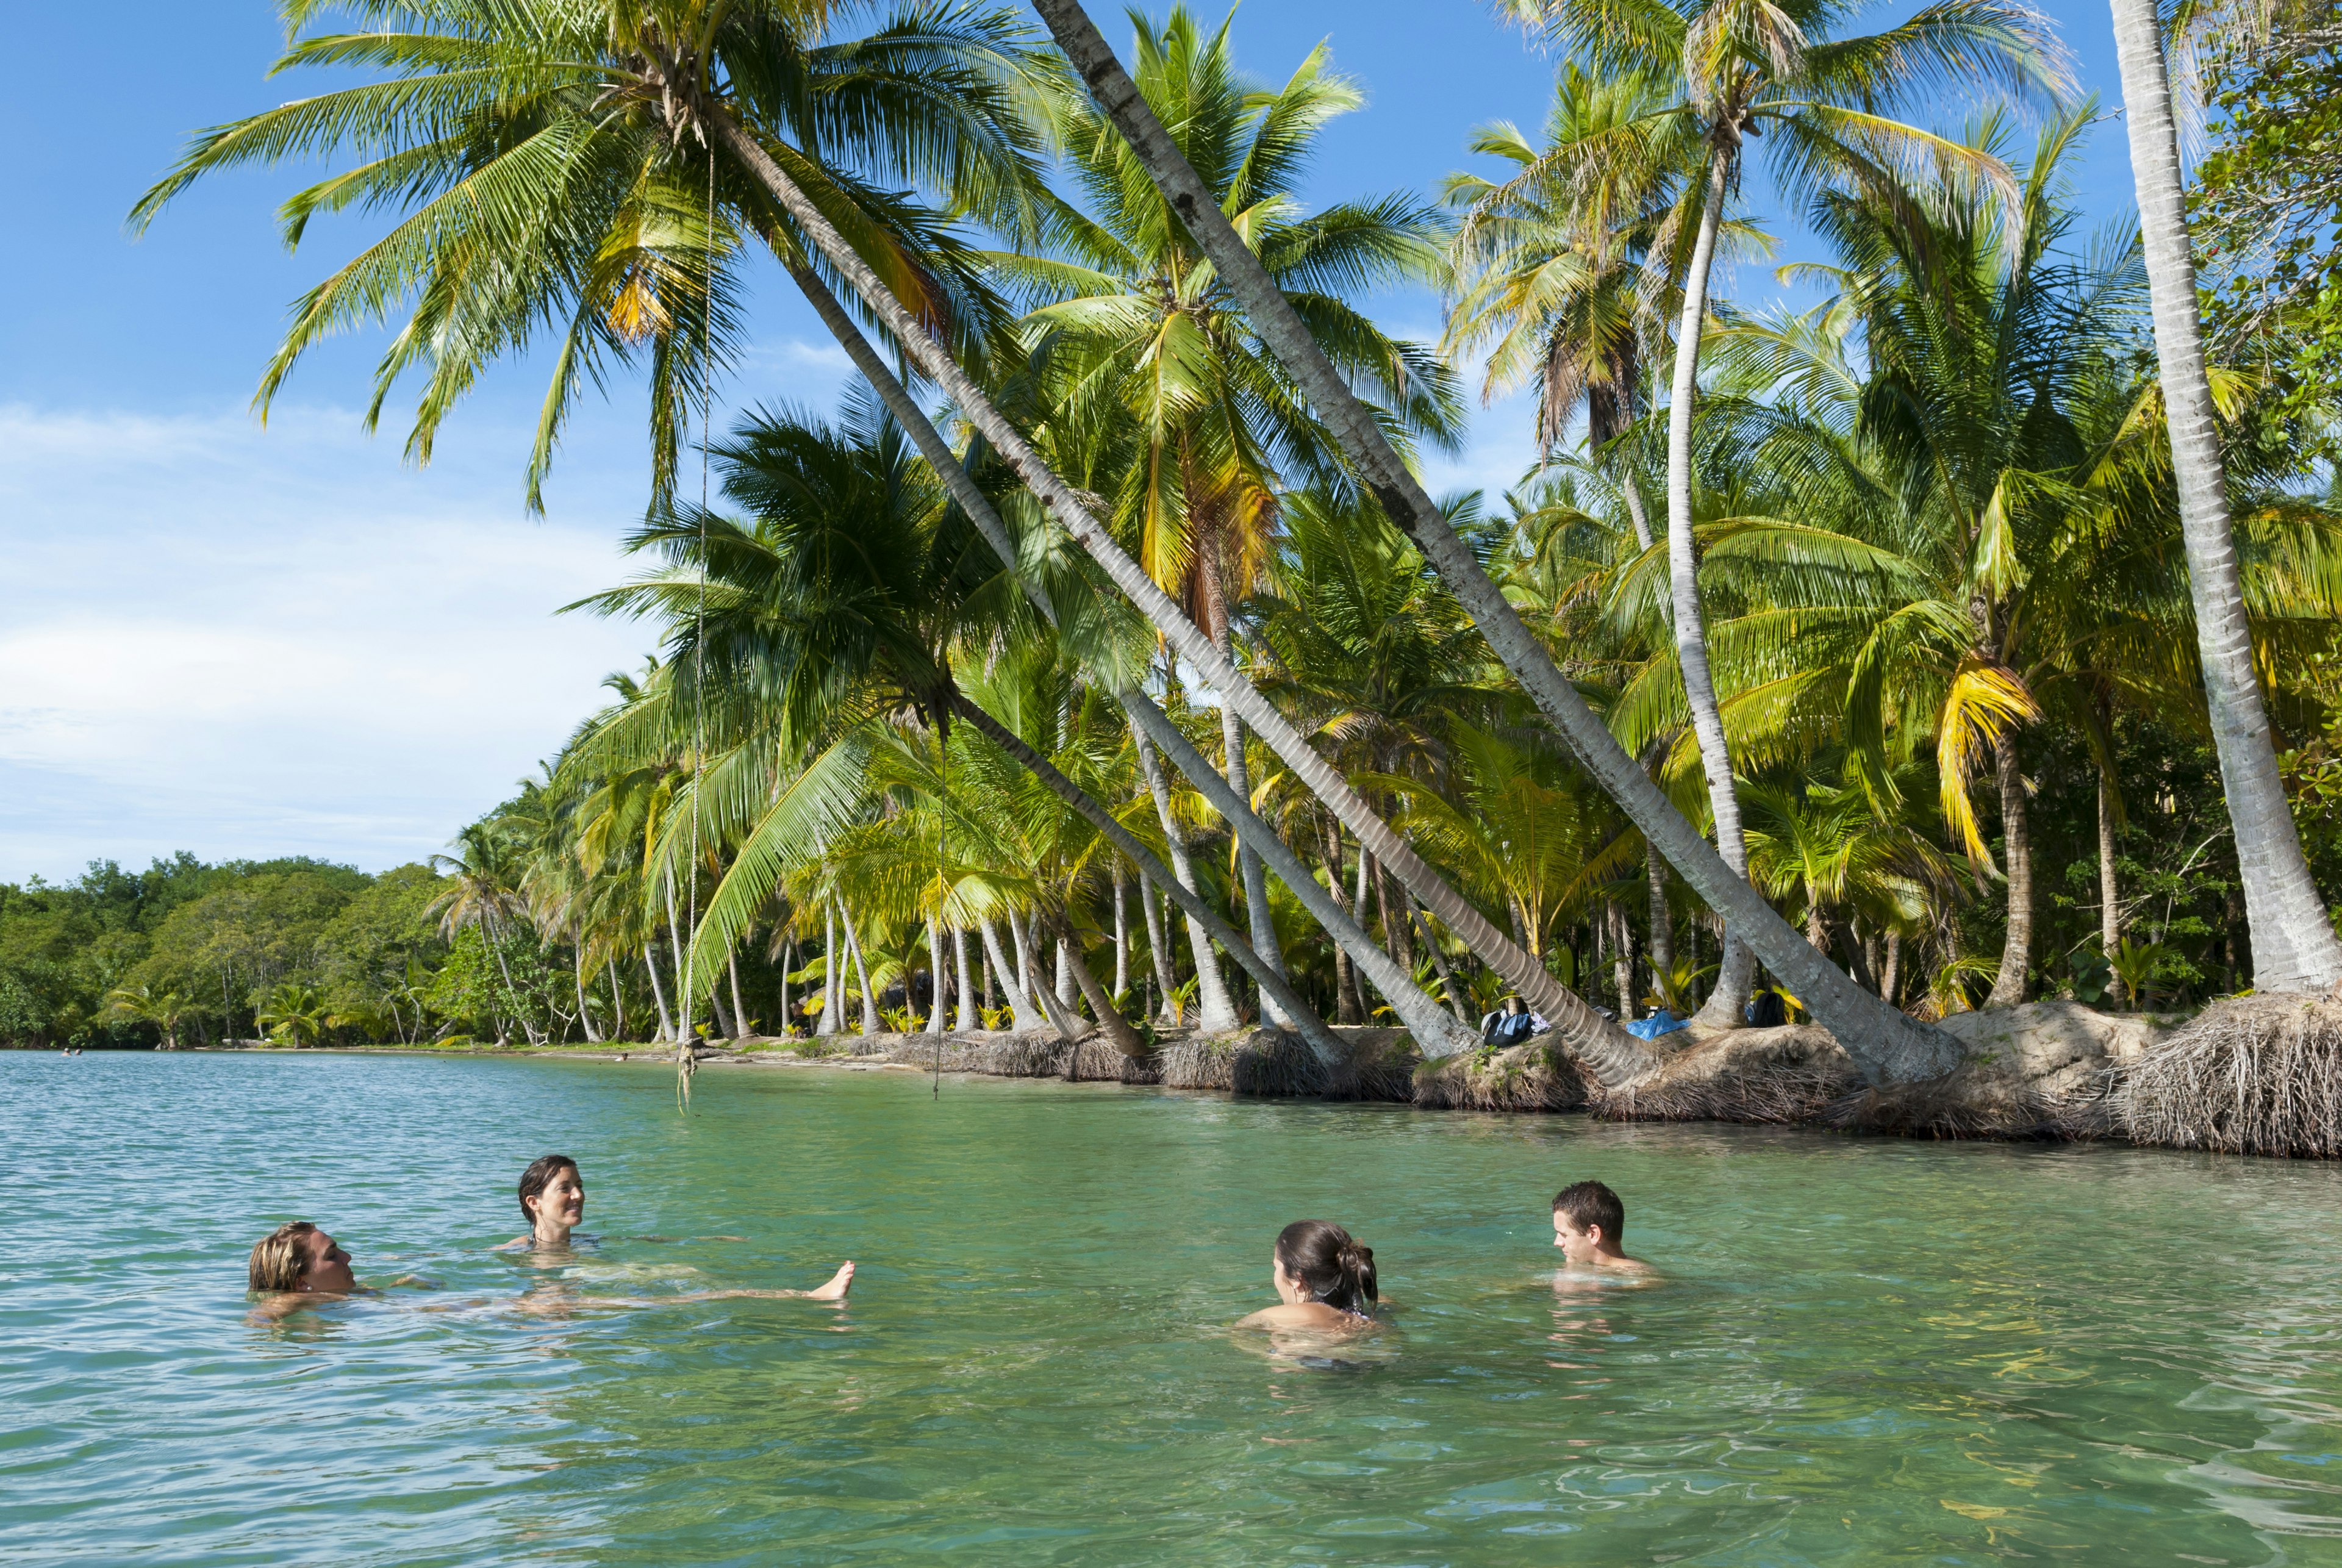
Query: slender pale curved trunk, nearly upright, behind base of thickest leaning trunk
[(1739, 972)]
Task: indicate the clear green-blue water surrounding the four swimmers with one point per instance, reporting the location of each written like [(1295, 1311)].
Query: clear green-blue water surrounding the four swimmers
[(1863, 1352)]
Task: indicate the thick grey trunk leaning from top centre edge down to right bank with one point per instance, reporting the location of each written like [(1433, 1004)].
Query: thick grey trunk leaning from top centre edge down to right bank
[(1884, 1043)]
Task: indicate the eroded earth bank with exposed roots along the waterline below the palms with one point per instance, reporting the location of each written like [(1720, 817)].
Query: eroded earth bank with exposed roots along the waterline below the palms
[(2247, 1078)]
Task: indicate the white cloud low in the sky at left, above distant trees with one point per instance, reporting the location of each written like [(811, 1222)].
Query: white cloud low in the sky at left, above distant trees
[(263, 642)]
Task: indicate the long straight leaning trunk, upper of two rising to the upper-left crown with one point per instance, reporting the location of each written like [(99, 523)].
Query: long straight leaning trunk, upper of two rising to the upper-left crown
[(1608, 1050)]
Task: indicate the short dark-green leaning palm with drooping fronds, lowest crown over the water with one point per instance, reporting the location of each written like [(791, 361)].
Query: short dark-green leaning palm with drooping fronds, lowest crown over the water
[(837, 607)]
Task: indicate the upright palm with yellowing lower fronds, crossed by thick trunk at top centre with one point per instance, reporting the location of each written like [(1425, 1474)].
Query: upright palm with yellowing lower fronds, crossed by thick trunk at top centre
[(1137, 322)]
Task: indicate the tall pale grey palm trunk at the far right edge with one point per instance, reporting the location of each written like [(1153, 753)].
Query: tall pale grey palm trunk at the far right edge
[(2294, 944)]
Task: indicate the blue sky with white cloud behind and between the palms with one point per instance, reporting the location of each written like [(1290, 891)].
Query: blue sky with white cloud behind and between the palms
[(287, 640)]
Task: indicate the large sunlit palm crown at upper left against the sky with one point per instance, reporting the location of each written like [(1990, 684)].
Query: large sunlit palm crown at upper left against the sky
[(552, 179)]
